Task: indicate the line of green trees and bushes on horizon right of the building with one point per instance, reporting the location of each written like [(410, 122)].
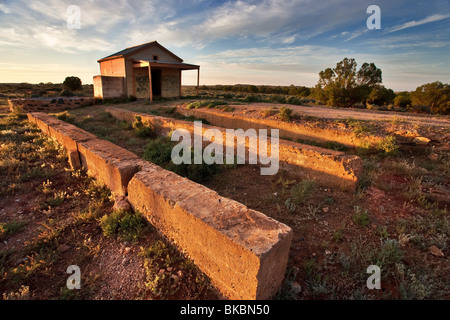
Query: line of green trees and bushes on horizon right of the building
[(347, 86)]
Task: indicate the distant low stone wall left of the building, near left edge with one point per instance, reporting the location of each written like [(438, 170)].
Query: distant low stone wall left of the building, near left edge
[(48, 104)]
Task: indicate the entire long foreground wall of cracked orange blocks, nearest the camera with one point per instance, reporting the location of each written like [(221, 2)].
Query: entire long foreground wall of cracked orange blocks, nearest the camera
[(242, 251)]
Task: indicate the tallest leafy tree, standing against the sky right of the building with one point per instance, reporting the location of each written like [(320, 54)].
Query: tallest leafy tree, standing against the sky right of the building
[(344, 86)]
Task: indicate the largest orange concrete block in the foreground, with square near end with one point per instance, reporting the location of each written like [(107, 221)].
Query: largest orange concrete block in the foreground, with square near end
[(243, 251)]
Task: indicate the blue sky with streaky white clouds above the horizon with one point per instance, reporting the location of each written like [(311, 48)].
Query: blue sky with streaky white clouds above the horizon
[(268, 42)]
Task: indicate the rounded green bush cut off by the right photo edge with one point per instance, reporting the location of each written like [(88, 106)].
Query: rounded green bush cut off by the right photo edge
[(435, 95)]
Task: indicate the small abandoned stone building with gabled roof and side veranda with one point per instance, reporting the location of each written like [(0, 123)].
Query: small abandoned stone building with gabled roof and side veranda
[(145, 71)]
